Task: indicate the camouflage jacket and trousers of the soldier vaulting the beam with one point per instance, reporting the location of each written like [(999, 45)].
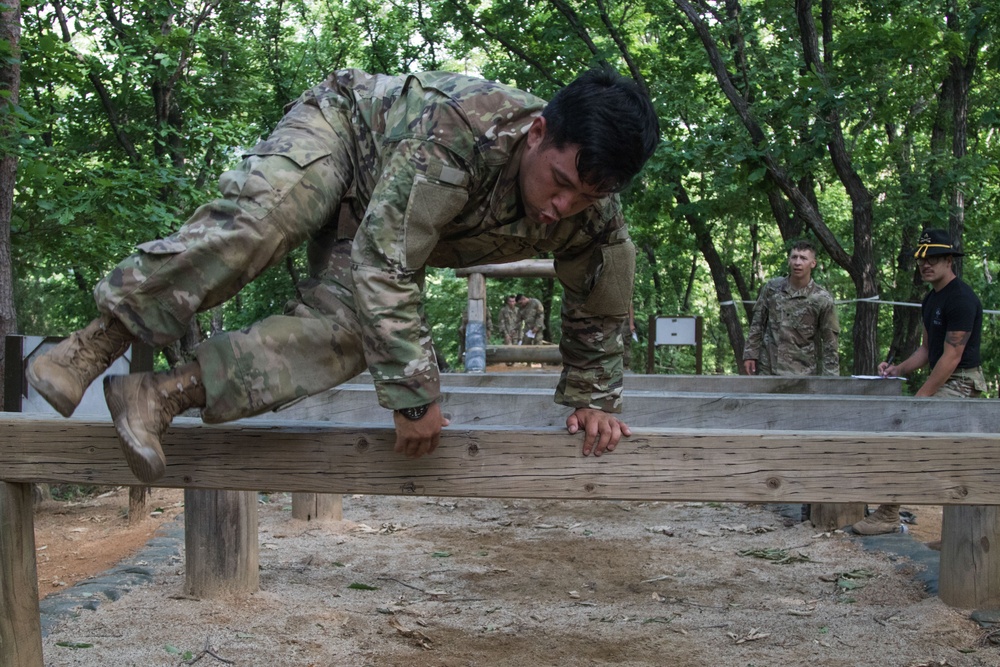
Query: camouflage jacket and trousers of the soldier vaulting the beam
[(384, 176)]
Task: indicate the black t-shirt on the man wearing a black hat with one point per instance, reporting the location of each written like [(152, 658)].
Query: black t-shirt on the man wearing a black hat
[(955, 308)]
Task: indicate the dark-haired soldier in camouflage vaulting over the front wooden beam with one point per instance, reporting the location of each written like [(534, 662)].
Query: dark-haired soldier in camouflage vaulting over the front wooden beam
[(382, 176)]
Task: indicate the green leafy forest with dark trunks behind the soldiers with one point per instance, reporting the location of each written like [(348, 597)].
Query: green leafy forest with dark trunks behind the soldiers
[(853, 124)]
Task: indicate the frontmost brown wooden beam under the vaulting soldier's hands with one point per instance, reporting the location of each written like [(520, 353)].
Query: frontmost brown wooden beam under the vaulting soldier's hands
[(654, 464)]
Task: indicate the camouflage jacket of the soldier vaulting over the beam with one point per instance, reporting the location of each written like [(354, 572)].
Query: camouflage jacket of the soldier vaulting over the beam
[(436, 163)]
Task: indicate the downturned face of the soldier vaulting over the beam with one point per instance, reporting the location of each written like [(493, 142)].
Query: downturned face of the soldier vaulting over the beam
[(551, 188)]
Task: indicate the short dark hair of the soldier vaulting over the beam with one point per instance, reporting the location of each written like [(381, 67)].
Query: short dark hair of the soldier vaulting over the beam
[(612, 121)]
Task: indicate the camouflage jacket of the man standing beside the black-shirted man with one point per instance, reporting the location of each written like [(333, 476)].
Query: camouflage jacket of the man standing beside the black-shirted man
[(794, 332)]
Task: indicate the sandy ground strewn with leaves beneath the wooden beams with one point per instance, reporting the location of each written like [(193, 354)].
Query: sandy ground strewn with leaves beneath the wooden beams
[(425, 582)]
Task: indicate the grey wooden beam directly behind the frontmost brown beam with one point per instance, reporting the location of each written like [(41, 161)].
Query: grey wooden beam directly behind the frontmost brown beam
[(484, 406)]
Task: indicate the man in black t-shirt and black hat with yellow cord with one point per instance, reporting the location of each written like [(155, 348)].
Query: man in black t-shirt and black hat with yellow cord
[(953, 327)]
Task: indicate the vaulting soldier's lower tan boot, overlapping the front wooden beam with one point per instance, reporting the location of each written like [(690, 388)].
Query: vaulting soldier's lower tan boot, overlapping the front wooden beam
[(143, 405)]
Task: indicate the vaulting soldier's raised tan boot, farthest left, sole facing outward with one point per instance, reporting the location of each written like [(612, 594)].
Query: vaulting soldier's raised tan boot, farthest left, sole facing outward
[(62, 374)]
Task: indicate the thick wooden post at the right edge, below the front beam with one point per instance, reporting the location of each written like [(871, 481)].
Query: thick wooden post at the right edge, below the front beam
[(970, 557)]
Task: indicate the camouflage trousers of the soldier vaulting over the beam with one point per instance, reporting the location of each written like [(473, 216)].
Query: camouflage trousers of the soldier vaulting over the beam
[(285, 192)]
